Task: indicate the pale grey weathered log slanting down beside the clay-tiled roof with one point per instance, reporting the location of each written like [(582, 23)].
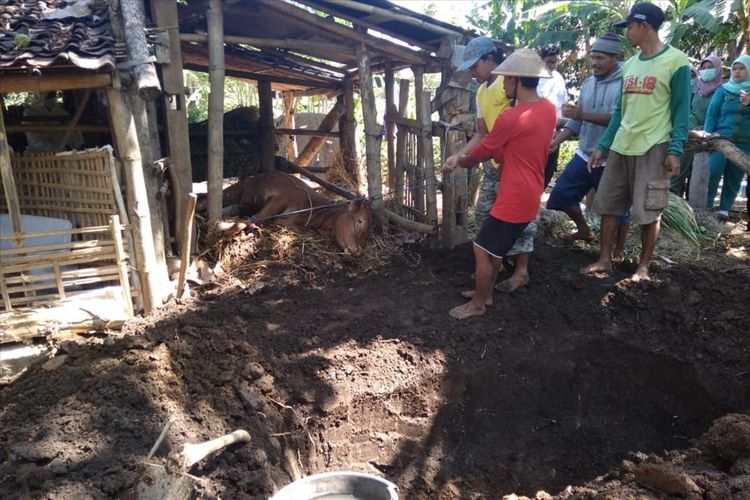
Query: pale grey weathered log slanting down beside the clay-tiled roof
[(144, 73)]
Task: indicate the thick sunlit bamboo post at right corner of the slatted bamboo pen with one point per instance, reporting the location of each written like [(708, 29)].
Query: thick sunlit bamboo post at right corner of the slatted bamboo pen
[(126, 138)]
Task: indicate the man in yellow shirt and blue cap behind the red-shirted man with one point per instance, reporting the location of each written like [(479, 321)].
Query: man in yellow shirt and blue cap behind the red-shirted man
[(481, 57)]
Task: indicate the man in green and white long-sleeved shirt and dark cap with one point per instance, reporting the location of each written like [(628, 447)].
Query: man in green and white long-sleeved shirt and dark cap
[(644, 139)]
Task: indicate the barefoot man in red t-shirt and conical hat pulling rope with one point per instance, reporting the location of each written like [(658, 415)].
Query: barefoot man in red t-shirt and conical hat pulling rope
[(519, 141)]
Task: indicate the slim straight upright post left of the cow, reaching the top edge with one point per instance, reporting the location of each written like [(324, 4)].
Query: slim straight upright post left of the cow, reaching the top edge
[(215, 21)]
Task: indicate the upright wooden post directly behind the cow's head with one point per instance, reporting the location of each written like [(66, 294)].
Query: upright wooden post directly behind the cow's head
[(373, 132)]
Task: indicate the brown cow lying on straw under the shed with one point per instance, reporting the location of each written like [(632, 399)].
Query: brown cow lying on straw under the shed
[(273, 193)]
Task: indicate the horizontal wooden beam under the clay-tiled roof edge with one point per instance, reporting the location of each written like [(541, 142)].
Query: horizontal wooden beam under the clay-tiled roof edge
[(13, 82)]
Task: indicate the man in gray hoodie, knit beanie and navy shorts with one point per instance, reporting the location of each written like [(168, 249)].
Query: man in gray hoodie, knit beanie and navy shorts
[(588, 120)]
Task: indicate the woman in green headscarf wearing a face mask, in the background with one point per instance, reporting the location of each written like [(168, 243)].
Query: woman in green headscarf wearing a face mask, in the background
[(709, 79)]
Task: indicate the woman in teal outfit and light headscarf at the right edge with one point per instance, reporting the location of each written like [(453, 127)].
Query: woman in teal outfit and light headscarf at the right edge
[(729, 118)]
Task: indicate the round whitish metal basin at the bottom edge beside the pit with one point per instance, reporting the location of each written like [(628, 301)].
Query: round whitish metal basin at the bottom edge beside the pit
[(339, 486)]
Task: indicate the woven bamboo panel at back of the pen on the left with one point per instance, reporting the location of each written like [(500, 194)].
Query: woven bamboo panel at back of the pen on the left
[(76, 187)]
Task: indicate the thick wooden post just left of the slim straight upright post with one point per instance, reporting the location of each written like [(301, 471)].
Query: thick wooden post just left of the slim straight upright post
[(175, 110)]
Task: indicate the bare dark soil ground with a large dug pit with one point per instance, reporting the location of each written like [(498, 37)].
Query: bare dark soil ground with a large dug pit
[(593, 382)]
